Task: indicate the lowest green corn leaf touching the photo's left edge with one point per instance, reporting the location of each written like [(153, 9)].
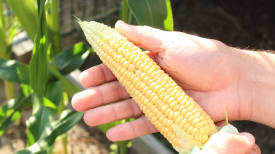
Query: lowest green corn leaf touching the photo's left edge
[(11, 111)]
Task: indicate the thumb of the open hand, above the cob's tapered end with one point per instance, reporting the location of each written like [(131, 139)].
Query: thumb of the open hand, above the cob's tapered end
[(144, 36)]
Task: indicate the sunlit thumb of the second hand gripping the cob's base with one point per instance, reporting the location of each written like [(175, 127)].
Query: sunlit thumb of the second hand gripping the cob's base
[(225, 143)]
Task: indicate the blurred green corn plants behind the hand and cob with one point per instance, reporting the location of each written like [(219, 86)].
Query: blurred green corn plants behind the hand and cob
[(43, 85)]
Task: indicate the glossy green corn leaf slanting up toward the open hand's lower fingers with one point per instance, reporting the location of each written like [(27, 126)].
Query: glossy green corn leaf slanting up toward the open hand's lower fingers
[(68, 119)]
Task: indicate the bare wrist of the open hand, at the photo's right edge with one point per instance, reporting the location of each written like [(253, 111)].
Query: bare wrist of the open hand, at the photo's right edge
[(257, 86)]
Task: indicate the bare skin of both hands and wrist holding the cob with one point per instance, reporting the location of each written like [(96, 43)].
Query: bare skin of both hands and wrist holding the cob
[(217, 76)]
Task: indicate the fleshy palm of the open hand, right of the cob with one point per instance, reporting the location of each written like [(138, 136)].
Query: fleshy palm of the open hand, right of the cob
[(203, 72)]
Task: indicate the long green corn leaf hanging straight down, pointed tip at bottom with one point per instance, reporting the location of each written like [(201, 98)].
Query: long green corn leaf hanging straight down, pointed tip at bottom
[(38, 63)]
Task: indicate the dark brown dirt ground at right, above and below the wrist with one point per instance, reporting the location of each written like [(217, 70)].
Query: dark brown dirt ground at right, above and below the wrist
[(245, 24)]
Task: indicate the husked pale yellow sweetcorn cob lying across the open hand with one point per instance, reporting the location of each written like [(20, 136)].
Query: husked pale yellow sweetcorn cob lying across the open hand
[(178, 117)]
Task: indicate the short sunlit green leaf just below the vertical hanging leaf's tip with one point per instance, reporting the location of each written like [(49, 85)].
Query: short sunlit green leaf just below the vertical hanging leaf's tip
[(41, 117)]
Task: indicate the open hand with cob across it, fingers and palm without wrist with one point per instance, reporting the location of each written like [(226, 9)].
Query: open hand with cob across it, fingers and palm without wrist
[(206, 69)]
